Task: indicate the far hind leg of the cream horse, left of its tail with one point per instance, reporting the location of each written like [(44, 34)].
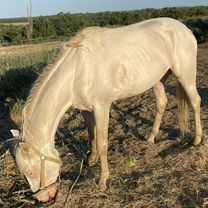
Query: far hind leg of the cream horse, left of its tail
[(161, 102)]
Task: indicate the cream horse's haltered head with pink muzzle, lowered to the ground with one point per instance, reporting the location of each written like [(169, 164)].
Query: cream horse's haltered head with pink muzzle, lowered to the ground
[(40, 170)]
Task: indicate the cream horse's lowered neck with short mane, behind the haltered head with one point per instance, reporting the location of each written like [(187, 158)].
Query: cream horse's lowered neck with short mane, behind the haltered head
[(55, 98)]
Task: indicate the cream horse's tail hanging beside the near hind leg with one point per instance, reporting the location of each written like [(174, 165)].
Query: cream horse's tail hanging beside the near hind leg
[(183, 109)]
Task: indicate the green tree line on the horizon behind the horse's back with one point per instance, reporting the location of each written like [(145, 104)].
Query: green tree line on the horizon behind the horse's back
[(65, 25)]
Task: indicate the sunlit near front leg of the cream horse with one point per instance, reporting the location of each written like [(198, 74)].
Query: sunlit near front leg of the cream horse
[(101, 113)]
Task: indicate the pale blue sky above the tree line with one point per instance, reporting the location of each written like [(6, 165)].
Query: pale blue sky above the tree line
[(18, 8)]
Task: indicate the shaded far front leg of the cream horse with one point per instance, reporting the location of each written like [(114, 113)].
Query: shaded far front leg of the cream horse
[(90, 124)]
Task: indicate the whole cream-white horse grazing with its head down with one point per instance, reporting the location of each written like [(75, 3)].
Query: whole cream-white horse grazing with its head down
[(97, 67)]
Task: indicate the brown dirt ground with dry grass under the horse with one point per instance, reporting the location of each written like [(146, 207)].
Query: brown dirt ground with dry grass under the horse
[(170, 173)]
